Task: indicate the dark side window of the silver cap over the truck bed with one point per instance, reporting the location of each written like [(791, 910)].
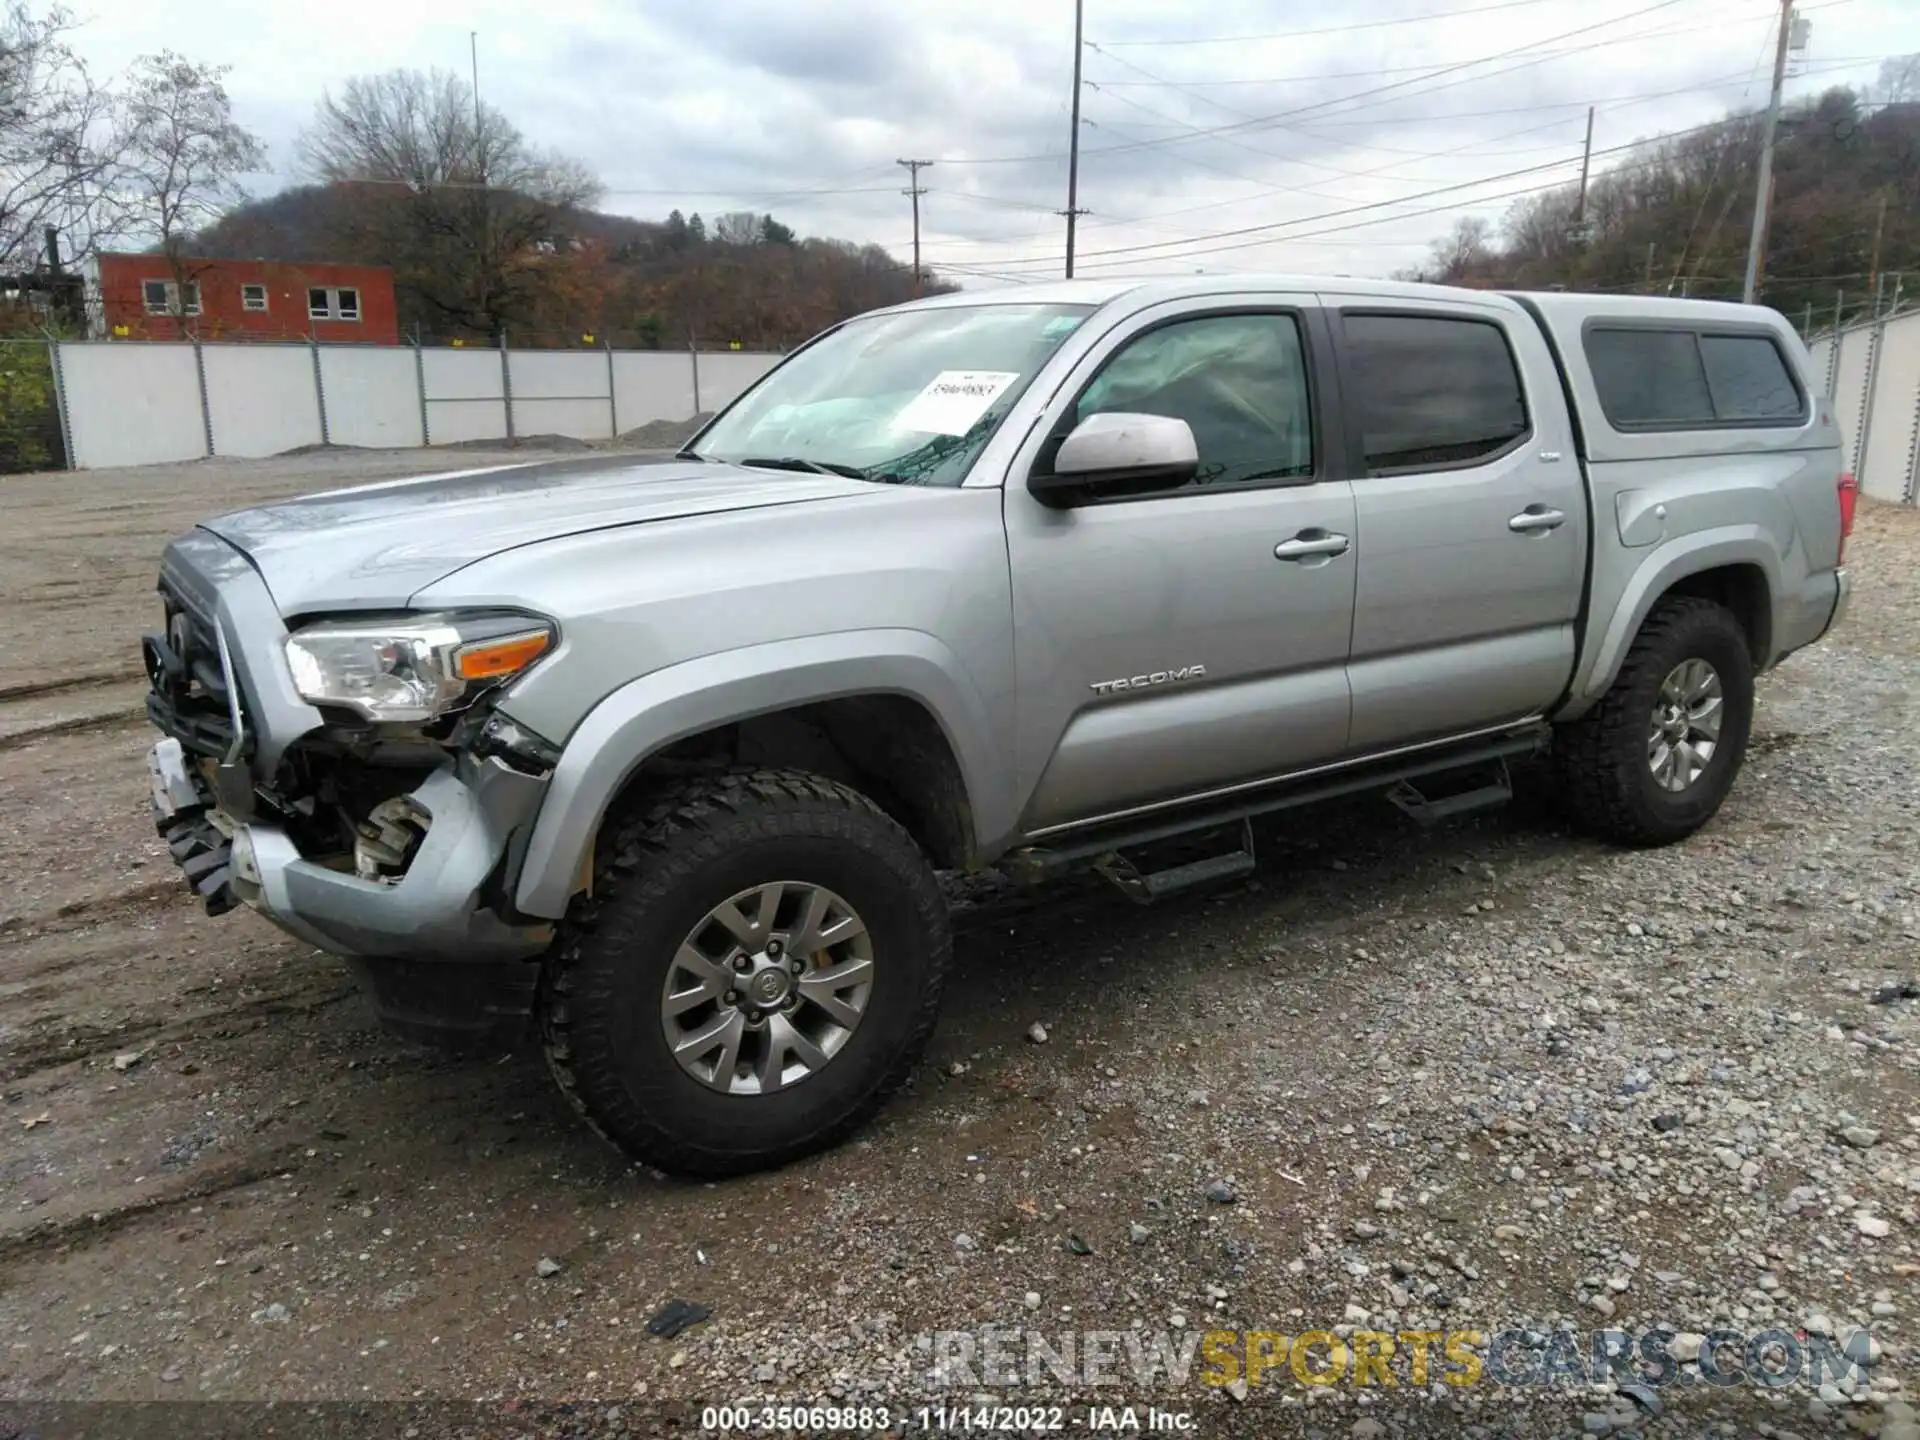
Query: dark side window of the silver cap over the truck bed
[(1671, 379)]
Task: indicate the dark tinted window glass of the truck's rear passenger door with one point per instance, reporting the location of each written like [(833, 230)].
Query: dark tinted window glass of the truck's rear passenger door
[(1431, 391)]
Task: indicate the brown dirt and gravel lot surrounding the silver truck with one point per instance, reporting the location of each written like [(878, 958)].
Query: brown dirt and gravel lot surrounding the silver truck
[(1477, 1078)]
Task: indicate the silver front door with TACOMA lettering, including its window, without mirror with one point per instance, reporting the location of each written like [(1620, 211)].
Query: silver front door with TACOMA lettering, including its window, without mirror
[(1189, 640)]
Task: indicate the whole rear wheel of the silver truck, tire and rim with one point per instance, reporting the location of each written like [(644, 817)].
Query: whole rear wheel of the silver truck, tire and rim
[(1656, 757)]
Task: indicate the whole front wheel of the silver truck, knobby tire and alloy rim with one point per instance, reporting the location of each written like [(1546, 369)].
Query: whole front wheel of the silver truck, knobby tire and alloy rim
[(756, 972)]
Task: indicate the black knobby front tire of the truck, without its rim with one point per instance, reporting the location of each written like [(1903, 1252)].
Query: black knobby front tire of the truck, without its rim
[(660, 867)]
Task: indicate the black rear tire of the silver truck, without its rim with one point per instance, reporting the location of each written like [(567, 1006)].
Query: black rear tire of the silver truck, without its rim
[(1606, 782)]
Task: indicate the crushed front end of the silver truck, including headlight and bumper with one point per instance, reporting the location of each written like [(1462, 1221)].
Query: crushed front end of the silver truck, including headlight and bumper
[(373, 805)]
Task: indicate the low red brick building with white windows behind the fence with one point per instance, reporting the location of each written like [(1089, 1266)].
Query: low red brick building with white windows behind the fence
[(141, 299)]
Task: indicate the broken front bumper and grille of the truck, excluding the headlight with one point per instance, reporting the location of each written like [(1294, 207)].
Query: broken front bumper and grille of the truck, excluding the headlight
[(435, 938)]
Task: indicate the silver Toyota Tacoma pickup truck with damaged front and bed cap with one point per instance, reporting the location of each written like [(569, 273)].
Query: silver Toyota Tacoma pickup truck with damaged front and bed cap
[(663, 756)]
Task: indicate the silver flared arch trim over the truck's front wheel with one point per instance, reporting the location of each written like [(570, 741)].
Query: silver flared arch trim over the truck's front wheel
[(652, 713)]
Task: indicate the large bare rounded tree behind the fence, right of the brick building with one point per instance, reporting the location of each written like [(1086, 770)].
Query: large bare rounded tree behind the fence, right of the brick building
[(471, 216)]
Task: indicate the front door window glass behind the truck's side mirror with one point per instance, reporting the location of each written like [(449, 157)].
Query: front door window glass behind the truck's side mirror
[(1241, 385)]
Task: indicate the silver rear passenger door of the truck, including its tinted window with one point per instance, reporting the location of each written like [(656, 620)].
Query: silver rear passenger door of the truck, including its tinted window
[(1472, 519)]
